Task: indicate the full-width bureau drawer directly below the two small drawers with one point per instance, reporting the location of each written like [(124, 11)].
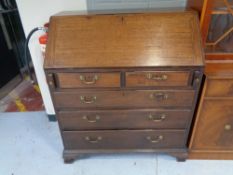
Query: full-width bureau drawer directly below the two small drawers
[(138, 98)]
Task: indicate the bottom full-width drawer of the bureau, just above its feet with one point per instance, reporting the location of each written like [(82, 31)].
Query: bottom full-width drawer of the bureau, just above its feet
[(124, 139)]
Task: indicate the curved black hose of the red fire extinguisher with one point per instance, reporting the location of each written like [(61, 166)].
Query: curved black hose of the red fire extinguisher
[(26, 49)]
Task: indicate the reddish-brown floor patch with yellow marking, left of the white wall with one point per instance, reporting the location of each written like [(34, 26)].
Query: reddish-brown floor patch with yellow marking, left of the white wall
[(25, 97)]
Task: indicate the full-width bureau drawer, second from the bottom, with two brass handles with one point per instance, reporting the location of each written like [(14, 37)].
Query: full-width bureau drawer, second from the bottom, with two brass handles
[(124, 119)]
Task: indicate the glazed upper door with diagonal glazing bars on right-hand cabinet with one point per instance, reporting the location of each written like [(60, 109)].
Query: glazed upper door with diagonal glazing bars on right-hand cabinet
[(219, 38)]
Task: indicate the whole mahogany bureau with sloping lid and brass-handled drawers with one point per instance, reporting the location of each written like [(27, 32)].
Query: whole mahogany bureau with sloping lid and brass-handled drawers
[(124, 82)]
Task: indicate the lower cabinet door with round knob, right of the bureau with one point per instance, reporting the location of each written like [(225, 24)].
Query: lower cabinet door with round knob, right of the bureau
[(215, 126)]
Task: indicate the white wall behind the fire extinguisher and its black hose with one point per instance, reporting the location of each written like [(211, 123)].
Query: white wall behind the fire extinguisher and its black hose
[(35, 13)]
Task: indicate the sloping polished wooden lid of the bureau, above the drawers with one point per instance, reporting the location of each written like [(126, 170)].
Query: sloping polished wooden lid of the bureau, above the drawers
[(124, 40)]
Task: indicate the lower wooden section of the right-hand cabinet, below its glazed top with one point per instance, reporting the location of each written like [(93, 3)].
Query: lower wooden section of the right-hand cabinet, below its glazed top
[(213, 132)]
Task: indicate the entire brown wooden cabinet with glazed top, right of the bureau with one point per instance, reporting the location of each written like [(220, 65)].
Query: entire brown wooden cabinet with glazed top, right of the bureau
[(212, 134)]
